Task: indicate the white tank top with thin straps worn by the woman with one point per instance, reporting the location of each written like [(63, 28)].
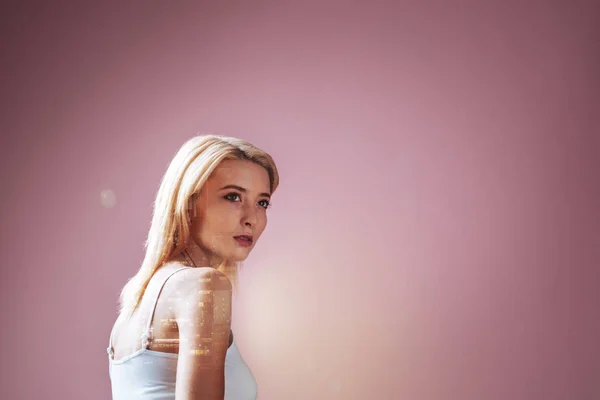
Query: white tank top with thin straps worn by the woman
[(150, 375)]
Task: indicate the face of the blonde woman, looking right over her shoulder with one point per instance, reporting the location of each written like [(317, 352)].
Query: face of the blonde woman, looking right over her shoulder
[(232, 202)]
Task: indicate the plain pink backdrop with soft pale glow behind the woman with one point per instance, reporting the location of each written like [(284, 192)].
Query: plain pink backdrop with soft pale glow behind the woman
[(436, 232)]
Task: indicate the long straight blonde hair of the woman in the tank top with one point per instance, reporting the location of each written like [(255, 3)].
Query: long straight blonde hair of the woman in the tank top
[(170, 230)]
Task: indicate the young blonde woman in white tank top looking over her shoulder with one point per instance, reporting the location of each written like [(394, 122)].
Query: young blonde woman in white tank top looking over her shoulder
[(172, 338)]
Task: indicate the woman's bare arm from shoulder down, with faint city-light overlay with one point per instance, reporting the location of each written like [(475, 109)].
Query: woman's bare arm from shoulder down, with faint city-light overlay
[(204, 321)]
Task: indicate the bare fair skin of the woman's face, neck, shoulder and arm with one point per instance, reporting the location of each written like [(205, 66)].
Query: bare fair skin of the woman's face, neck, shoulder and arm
[(193, 314)]
